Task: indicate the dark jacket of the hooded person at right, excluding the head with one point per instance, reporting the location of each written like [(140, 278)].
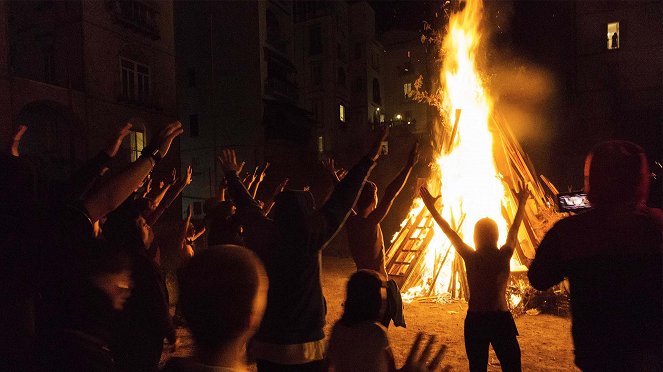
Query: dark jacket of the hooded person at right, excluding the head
[(614, 263)]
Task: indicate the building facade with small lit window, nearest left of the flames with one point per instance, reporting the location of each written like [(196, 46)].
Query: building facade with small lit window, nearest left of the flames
[(339, 60)]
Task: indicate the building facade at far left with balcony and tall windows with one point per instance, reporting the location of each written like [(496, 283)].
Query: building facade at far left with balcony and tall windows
[(76, 71)]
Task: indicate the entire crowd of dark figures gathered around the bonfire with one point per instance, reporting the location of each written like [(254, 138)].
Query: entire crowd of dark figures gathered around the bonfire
[(85, 291)]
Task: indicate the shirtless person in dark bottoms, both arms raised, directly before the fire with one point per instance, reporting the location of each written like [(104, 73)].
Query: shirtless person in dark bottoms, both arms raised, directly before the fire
[(488, 319)]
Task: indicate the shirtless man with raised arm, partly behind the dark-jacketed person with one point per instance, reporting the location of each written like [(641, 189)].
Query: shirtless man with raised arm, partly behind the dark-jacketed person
[(365, 235)]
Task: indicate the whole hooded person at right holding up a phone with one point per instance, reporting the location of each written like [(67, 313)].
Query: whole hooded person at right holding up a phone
[(612, 257)]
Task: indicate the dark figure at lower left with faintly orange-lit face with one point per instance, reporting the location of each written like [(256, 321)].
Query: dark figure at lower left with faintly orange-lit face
[(82, 340)]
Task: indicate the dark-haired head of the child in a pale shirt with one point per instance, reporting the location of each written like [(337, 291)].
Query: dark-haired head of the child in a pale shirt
[(365, 299)]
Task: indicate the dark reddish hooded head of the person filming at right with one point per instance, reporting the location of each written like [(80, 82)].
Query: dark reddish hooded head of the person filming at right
[(616, 173)]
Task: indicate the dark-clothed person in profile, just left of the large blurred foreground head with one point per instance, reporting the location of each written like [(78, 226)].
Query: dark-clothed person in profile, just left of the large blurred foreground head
[(145, 322)]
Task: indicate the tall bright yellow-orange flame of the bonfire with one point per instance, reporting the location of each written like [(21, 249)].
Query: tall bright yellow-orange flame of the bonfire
[(468, 180)]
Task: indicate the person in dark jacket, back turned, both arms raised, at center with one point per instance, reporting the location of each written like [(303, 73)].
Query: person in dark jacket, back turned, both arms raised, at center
[(290, 246)]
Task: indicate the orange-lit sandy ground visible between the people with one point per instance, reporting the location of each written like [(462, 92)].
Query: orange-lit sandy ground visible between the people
[(545, 340)]
